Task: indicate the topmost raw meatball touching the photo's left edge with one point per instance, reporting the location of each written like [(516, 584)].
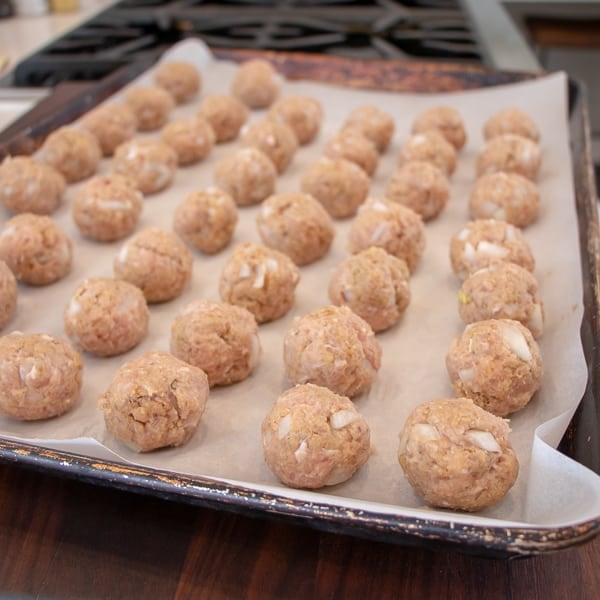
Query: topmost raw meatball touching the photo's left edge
[(27, 185)]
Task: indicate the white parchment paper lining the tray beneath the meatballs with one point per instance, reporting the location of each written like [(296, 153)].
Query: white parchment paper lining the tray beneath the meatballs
[(551, 489)]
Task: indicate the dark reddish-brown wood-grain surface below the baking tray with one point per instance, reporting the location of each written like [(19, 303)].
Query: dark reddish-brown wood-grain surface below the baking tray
[(65, 539)]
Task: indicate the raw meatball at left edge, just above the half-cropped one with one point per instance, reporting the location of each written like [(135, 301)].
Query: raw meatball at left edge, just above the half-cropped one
[(35, 249)]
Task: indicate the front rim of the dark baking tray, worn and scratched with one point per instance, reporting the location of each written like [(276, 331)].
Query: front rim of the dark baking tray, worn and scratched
[(210, 493)]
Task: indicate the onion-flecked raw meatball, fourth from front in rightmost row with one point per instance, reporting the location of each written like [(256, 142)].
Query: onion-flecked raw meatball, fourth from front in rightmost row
[(486, 241)]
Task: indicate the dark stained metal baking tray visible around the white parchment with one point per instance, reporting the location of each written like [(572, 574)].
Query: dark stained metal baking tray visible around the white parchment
[(581, 441)]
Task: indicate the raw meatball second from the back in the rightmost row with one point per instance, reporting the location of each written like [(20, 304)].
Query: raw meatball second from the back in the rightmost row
[(510, 153)]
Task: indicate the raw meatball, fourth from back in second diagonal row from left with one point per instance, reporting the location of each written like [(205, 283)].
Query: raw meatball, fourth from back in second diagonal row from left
[(151, 165)]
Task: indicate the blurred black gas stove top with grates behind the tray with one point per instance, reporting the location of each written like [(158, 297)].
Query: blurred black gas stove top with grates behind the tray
[(141, 30)]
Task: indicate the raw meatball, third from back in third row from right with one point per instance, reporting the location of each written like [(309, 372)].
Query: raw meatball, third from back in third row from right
[(340, 185)]
